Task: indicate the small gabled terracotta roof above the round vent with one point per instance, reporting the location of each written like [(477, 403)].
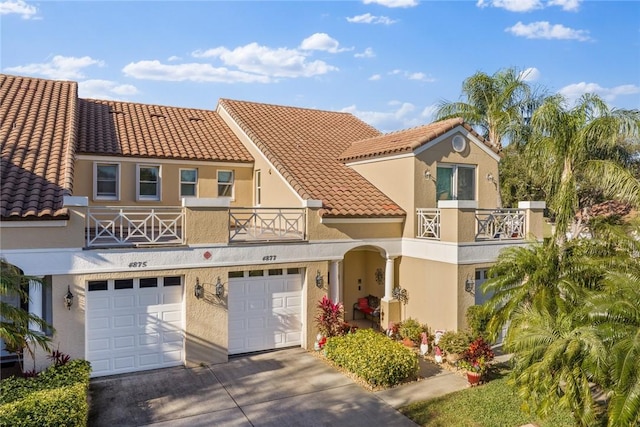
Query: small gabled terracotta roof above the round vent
[(405, 141)]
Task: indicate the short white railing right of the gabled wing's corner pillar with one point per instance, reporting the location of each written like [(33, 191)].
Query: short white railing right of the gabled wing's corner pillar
[(501, 224)]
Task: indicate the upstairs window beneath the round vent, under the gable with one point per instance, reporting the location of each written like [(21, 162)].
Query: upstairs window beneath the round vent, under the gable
[(456, 182)]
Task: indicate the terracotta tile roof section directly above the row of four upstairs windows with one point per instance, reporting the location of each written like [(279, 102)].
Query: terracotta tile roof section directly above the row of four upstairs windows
[(129, 129)]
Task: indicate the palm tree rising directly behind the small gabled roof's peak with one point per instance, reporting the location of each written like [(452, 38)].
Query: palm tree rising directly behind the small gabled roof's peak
[(498, 106)]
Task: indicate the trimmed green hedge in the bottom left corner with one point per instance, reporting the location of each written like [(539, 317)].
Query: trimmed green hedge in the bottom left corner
[(56, 397)]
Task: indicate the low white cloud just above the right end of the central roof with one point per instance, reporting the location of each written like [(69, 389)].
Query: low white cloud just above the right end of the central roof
[(401, 116)]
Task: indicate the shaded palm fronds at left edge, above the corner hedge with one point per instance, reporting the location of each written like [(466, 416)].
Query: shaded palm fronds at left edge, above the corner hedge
[(15, 322)]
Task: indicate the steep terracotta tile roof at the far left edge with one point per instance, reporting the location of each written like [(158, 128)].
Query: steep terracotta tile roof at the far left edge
[(37, 135)]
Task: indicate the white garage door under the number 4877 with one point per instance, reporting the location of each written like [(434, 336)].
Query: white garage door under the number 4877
[(265, 310)]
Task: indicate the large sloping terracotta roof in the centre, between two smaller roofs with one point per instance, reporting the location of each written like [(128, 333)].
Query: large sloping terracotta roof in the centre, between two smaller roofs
[(304, 144)]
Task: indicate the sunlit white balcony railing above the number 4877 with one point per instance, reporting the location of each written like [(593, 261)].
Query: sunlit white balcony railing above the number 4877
[(266, 224)]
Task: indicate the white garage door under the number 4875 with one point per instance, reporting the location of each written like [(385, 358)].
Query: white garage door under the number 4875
[(134, 325)]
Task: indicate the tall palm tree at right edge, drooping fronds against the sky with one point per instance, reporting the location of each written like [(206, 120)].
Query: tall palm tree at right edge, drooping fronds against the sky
[(571, 145)]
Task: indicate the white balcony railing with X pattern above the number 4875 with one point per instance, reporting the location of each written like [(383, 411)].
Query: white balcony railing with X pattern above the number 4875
[(134, 226)]
